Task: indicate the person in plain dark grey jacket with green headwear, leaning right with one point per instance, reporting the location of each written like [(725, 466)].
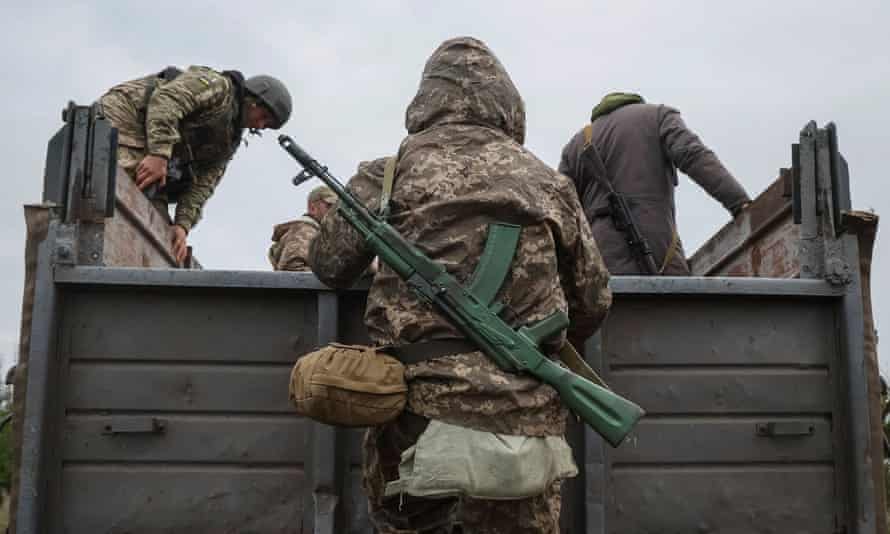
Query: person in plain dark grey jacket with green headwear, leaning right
[(638, 149)]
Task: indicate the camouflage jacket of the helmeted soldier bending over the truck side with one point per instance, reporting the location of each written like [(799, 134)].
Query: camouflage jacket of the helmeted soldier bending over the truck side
[(195, 117)]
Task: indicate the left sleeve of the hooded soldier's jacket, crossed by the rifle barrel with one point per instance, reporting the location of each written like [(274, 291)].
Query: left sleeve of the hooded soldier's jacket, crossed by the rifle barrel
[(339, 255)]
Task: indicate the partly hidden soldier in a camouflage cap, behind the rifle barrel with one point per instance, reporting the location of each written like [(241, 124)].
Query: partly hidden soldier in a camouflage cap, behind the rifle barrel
[(290, 240)]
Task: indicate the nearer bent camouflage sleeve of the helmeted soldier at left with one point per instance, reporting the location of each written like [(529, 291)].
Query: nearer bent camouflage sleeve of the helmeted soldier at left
[(196, 88)]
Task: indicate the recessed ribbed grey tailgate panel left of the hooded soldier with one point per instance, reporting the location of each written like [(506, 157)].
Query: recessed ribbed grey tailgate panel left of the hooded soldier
[(211, 366)]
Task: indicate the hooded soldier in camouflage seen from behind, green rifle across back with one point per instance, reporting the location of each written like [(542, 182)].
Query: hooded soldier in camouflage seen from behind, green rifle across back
[(461, 167)]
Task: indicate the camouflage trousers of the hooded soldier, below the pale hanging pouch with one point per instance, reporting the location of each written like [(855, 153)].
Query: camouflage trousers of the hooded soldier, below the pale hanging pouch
[(406, 514)]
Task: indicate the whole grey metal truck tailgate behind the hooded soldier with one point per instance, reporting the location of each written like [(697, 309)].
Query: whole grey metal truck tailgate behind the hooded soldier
[(175, 418)]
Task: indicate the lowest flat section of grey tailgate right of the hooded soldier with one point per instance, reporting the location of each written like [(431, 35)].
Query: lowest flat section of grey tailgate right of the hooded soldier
[(723, 500)]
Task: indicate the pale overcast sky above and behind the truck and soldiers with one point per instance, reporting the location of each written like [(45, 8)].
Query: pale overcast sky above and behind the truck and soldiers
[(746, 75)]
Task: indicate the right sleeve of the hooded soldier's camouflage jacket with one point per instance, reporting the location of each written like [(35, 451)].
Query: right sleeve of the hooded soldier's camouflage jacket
[(583, 274)]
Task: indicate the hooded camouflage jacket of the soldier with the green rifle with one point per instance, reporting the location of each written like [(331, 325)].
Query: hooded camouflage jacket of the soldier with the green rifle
[(461, 168)]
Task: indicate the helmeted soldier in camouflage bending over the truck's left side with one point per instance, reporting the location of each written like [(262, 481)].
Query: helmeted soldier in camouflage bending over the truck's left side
[(179, 129)]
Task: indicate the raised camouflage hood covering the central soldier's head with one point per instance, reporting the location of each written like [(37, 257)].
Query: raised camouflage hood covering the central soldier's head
[(464, 83)]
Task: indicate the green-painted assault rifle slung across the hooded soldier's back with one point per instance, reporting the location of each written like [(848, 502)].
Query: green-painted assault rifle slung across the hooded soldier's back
[(472, 311)]
